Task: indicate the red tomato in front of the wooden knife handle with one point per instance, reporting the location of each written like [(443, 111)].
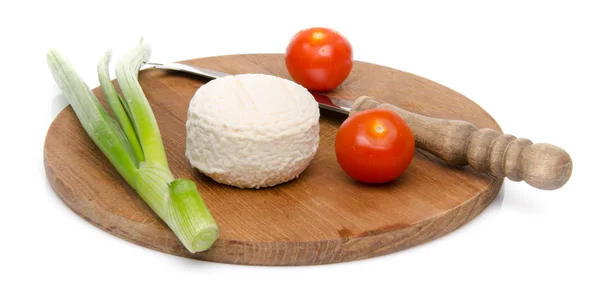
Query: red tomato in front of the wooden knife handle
[(374, 146)]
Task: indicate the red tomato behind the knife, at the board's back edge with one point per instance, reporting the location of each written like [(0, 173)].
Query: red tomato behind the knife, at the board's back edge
[(319, 58)]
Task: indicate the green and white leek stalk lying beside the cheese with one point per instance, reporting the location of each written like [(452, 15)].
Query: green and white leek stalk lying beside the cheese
[(133, 144)]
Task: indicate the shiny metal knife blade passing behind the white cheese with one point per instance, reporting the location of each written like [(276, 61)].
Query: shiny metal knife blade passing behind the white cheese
[(334, 104)]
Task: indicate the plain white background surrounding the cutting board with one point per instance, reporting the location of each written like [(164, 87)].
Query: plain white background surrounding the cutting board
[(533, 65)]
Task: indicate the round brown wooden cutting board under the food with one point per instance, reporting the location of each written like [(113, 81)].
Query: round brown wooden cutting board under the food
[(322, 217)]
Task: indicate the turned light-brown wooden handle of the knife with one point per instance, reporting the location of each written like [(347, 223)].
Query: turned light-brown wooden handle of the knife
[(461, 143)]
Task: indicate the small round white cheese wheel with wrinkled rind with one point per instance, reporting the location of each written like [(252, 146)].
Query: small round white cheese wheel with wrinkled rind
[(252, 130)]
